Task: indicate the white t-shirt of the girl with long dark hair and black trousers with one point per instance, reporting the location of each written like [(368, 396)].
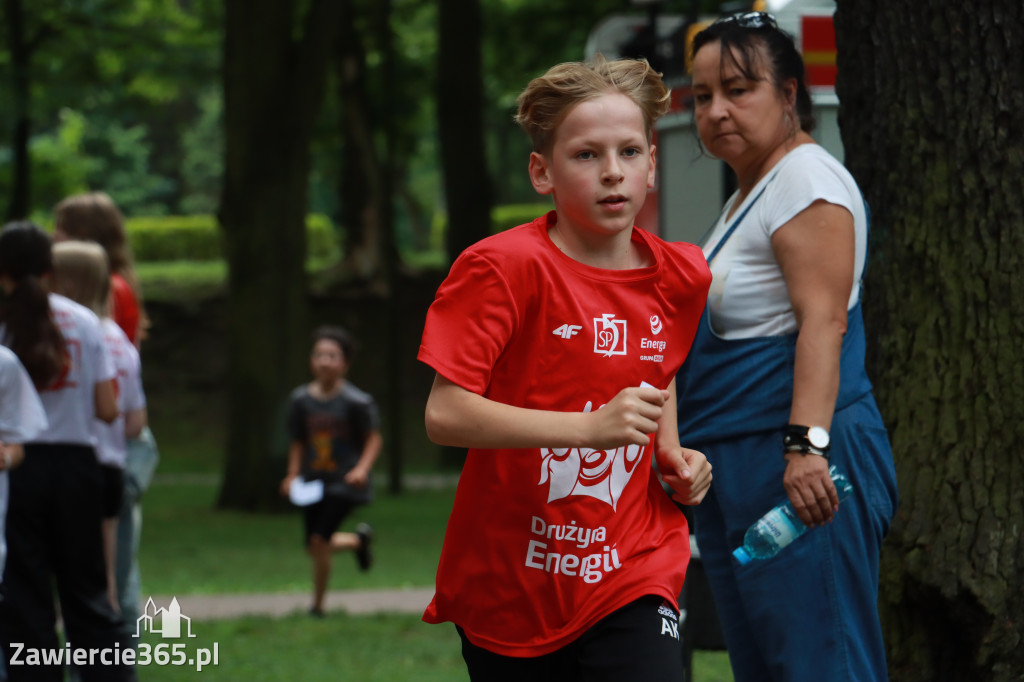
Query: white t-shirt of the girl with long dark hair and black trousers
[(70, 402)]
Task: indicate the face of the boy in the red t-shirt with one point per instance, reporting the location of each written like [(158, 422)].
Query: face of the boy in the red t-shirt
[(600, 168)]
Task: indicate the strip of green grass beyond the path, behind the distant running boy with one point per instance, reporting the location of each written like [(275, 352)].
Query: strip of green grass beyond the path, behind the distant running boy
[(191, 548)]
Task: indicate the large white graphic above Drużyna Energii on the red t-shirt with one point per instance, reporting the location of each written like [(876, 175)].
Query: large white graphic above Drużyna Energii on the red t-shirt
[(584, 472)]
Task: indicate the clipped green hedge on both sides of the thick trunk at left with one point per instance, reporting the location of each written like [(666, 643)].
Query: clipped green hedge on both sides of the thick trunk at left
[(198, 238)]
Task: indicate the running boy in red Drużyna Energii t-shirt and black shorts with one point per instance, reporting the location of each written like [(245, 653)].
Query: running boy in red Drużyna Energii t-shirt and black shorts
[(557, 345)]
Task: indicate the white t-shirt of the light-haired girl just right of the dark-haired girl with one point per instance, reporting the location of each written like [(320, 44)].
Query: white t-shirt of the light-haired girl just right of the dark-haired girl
[(111, 449)]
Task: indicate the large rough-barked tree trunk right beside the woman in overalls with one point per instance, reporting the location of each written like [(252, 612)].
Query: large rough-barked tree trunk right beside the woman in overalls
[(932, 98)]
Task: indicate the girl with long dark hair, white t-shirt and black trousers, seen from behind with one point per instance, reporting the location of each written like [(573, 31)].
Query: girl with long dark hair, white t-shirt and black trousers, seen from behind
[(54, 523)]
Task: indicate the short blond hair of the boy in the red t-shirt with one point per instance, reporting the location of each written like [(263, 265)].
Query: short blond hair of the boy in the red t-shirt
[(547, 100)]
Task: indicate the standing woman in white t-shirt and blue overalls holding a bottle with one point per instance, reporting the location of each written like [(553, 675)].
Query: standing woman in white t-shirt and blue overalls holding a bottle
[(776, 389)]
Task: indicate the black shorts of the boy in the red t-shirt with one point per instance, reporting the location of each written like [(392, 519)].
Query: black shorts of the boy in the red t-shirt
[(641, 642)]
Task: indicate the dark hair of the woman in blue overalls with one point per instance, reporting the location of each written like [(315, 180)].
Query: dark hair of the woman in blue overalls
[(742, 44)]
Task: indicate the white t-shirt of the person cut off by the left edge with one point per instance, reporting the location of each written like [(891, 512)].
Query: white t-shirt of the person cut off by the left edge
[(22, 417)]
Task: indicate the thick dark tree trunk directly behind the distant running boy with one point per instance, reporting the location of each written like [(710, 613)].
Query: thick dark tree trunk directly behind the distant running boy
[(275, 76)]
